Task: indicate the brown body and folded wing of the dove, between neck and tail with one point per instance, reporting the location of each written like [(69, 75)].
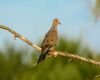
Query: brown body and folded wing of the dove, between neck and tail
[(50, 40)]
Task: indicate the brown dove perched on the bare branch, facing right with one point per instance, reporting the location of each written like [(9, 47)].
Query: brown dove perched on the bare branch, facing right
[(50, 40)]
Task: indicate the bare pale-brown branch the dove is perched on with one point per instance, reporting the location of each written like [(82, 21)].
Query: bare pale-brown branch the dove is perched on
[(62, 54)]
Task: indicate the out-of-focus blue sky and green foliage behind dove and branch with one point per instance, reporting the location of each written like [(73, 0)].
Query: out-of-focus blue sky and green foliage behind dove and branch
[(79, 33)]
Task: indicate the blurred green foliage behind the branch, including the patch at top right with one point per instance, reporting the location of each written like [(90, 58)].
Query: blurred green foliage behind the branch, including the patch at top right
[(17, 64)]
